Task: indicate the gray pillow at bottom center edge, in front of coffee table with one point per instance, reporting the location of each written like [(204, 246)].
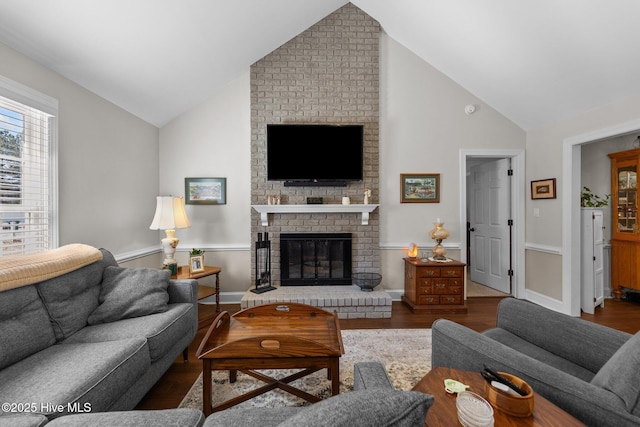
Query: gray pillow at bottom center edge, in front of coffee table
[(372, 407)]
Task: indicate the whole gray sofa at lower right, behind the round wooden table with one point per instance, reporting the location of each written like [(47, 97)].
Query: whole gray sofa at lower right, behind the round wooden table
[(589, 370)]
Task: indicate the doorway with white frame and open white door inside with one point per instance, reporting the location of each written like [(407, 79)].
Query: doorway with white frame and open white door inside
[(492, 212)]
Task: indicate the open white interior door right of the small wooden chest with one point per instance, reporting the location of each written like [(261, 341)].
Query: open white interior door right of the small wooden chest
[(489, 229)]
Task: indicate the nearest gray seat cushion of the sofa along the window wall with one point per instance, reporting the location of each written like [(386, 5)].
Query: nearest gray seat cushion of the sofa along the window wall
[(76, 374)]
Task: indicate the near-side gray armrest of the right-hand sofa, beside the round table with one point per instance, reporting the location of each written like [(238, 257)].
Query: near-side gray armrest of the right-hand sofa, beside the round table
[(456, 346)]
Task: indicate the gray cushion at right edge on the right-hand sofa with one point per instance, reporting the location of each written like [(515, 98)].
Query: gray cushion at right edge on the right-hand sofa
[(621, 374)]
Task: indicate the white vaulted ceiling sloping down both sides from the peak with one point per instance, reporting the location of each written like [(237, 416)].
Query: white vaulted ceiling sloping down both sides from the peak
[(535, 61)]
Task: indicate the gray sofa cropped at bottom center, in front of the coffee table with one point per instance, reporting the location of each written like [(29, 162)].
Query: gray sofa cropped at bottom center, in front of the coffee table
[(373, 402)]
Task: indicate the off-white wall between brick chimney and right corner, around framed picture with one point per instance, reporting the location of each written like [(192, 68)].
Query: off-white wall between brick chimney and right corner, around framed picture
[(423, 127)]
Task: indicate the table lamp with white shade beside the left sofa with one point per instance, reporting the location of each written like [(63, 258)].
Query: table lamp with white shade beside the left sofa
[(170, 214)]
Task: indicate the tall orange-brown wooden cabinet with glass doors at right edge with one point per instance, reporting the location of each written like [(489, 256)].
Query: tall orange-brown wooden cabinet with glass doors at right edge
[(625, 239)]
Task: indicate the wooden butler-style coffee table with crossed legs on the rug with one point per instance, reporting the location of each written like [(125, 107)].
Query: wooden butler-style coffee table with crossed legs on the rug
[(271, 336)]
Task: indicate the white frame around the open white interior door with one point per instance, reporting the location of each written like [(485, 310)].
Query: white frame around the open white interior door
[(518, 191)]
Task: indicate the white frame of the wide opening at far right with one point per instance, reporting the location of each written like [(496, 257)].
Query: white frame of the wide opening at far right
[(571, 186)]
